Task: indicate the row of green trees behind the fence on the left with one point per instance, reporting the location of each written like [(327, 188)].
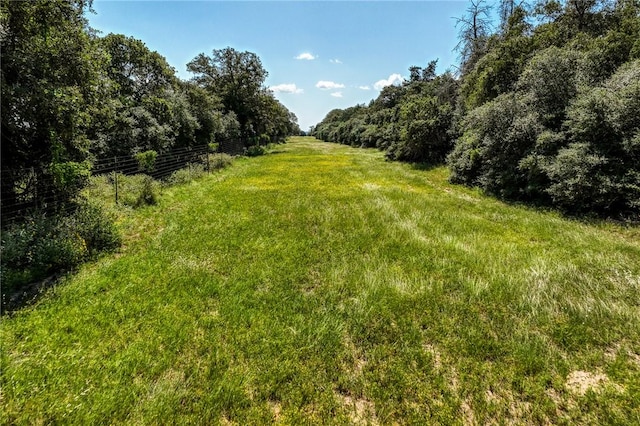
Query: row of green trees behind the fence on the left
[(71, 96)]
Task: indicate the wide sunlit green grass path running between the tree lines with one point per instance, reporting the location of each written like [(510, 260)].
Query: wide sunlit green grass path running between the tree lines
[(321, 284)]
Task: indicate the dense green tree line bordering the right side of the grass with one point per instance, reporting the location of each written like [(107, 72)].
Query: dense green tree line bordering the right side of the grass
[(544, 107)]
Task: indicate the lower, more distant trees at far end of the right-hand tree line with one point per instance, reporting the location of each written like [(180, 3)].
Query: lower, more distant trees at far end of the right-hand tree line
[(411, 122)]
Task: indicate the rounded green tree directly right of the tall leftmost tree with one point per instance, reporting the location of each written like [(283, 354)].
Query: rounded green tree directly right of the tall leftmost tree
[(144, 108)]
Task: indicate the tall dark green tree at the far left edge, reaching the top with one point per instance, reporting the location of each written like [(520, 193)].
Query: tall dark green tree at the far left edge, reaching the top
[(51, 87)]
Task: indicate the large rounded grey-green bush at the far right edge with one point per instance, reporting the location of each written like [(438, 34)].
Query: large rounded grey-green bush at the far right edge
[(600, 170)]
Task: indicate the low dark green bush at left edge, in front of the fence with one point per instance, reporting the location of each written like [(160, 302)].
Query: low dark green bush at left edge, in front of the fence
[(44, 245)]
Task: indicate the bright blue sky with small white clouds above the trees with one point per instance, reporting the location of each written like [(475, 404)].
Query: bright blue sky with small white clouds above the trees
[(320, 55)]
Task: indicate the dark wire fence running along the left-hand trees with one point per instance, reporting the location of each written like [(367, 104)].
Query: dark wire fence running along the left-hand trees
[(24, 191)]
